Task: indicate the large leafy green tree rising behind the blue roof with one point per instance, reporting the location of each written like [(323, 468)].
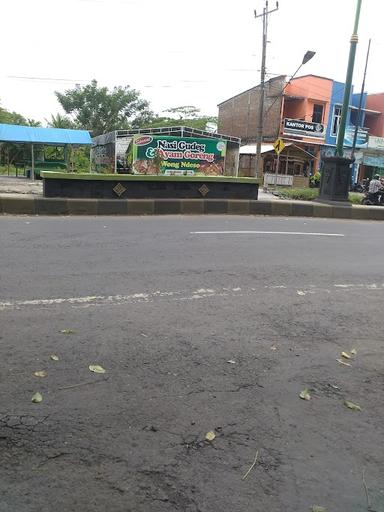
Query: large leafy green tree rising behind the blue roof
[(101, 110)]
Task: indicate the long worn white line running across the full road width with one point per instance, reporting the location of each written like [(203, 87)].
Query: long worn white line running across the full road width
[(184, 295)]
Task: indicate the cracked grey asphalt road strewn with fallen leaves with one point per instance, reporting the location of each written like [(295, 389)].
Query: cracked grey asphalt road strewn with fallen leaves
[(163, 308)]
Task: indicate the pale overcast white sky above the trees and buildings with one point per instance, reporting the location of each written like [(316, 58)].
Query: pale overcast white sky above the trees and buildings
[(175, 52)]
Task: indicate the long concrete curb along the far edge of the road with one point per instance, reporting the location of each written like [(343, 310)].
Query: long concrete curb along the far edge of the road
[(36, 205)]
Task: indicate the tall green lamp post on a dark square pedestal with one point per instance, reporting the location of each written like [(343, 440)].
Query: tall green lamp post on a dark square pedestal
[(336, 172)]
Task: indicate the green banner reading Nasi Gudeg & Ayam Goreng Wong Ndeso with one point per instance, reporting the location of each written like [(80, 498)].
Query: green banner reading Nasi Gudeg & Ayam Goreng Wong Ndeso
[(178, 156)]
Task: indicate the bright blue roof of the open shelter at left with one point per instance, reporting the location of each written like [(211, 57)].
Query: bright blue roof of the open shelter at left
[(18, 133)]
